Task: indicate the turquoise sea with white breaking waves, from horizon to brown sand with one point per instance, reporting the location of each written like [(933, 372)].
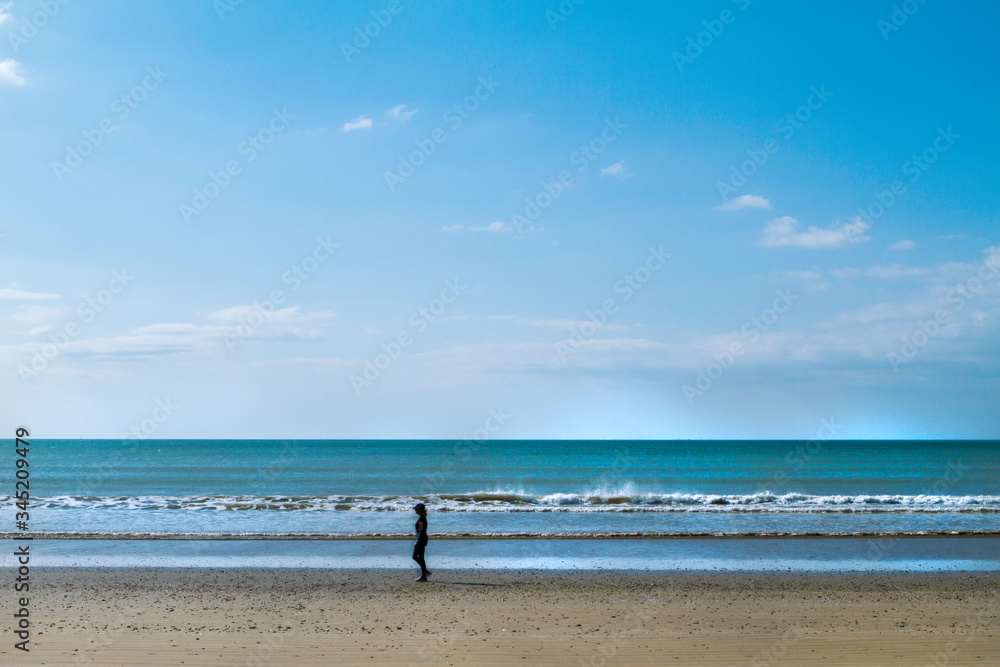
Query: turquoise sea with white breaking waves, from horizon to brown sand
[(646, 492)]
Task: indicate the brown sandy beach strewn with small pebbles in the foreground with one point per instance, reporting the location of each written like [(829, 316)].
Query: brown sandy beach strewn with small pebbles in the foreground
[(197, 616)]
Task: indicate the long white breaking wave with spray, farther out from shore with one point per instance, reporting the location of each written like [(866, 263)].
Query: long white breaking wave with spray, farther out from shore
[(521, 501)]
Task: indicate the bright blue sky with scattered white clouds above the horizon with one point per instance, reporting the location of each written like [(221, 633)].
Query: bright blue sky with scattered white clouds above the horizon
[(579, 219)]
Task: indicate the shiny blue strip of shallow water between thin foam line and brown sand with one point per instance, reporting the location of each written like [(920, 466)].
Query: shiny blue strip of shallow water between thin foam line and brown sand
[(923, 553)]
